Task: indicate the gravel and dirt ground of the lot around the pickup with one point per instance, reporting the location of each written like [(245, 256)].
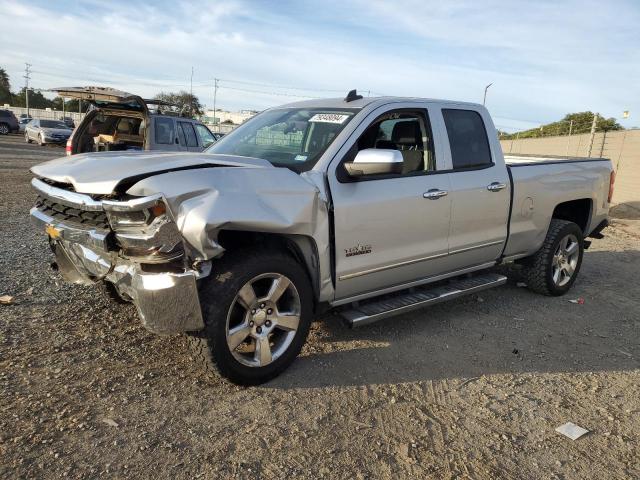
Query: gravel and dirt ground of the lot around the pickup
[(469, 389)]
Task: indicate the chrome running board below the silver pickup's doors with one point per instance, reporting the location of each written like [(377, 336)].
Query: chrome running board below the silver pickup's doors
[(369, 311)]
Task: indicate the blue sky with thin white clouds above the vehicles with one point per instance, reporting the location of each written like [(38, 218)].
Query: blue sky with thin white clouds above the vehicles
[(544, 58)]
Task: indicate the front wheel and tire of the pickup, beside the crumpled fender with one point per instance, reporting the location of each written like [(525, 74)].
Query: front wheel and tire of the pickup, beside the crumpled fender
[(227, 307)]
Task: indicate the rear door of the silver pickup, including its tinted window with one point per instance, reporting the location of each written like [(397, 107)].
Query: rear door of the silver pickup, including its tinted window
[(480, 189)]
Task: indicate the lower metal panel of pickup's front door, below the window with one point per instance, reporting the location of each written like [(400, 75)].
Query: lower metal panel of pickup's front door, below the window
[(388, 233)]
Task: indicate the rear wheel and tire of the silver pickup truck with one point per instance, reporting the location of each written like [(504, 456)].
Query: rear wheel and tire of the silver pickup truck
[(553, 269)]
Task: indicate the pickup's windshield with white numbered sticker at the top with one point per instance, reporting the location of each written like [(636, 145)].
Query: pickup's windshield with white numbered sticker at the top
[(293, 137)]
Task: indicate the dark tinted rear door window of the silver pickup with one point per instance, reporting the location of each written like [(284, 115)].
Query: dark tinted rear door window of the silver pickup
[(467, 138)]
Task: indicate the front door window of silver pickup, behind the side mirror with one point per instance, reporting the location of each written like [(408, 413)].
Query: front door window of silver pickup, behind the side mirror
[(409, 132)]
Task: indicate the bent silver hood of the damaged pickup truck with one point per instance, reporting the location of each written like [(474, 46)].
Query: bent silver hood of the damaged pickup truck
[(102, 173)]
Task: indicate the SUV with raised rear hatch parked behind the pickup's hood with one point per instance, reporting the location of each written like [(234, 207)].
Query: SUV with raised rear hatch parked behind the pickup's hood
[(122, 121)]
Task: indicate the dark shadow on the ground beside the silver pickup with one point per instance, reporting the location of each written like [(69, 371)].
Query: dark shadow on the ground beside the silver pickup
[(507, 330)]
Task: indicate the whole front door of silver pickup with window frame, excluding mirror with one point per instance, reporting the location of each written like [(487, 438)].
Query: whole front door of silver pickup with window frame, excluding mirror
[(392, 229)]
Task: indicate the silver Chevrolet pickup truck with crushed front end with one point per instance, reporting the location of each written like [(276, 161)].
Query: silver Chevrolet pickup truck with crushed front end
[(370, 206)]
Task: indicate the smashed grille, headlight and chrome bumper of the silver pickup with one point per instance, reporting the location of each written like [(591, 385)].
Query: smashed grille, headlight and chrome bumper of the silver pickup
[(134, 244)]
